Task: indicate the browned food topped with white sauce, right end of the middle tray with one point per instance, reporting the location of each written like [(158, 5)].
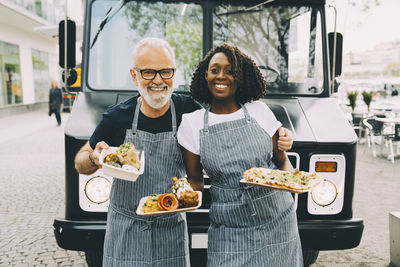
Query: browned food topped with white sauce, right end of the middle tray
[(184, 192)]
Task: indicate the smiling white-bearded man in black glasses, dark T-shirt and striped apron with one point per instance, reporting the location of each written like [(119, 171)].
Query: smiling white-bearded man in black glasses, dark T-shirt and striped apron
[(150, 122)]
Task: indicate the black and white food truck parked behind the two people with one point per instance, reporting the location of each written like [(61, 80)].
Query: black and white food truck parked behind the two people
[(300, 60)]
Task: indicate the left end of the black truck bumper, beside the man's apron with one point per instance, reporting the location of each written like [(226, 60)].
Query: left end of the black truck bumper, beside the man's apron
[(79, 235)]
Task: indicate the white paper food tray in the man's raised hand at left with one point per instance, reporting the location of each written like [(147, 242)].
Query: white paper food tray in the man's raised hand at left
[(120, 173)]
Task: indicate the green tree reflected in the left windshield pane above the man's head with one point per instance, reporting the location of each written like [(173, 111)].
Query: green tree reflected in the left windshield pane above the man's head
[(183, 30)]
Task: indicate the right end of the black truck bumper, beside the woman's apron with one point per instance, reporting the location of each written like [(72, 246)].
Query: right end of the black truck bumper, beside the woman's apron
[(330, 234)]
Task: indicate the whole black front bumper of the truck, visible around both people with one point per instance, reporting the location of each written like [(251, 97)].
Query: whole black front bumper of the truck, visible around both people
[(315, 235)]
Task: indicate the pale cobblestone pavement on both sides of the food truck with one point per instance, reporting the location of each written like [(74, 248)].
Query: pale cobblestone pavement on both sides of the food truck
[(32, 195)]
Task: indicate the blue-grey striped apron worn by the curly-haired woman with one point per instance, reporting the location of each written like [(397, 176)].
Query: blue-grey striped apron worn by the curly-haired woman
[(250, 226)]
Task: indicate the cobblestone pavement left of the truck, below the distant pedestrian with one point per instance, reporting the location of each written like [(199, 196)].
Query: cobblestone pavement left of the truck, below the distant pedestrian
[(32, 191)]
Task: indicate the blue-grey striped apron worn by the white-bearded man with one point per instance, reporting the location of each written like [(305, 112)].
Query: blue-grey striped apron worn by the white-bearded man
[(133, 240)]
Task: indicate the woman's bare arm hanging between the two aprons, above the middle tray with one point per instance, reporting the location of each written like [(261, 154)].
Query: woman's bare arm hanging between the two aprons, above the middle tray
[(194, 170)]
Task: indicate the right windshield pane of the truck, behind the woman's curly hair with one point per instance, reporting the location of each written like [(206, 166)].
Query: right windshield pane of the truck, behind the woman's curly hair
[(284, 41)]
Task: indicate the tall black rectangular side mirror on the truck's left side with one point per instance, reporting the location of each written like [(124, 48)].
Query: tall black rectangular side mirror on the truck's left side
[(70, 44)]
